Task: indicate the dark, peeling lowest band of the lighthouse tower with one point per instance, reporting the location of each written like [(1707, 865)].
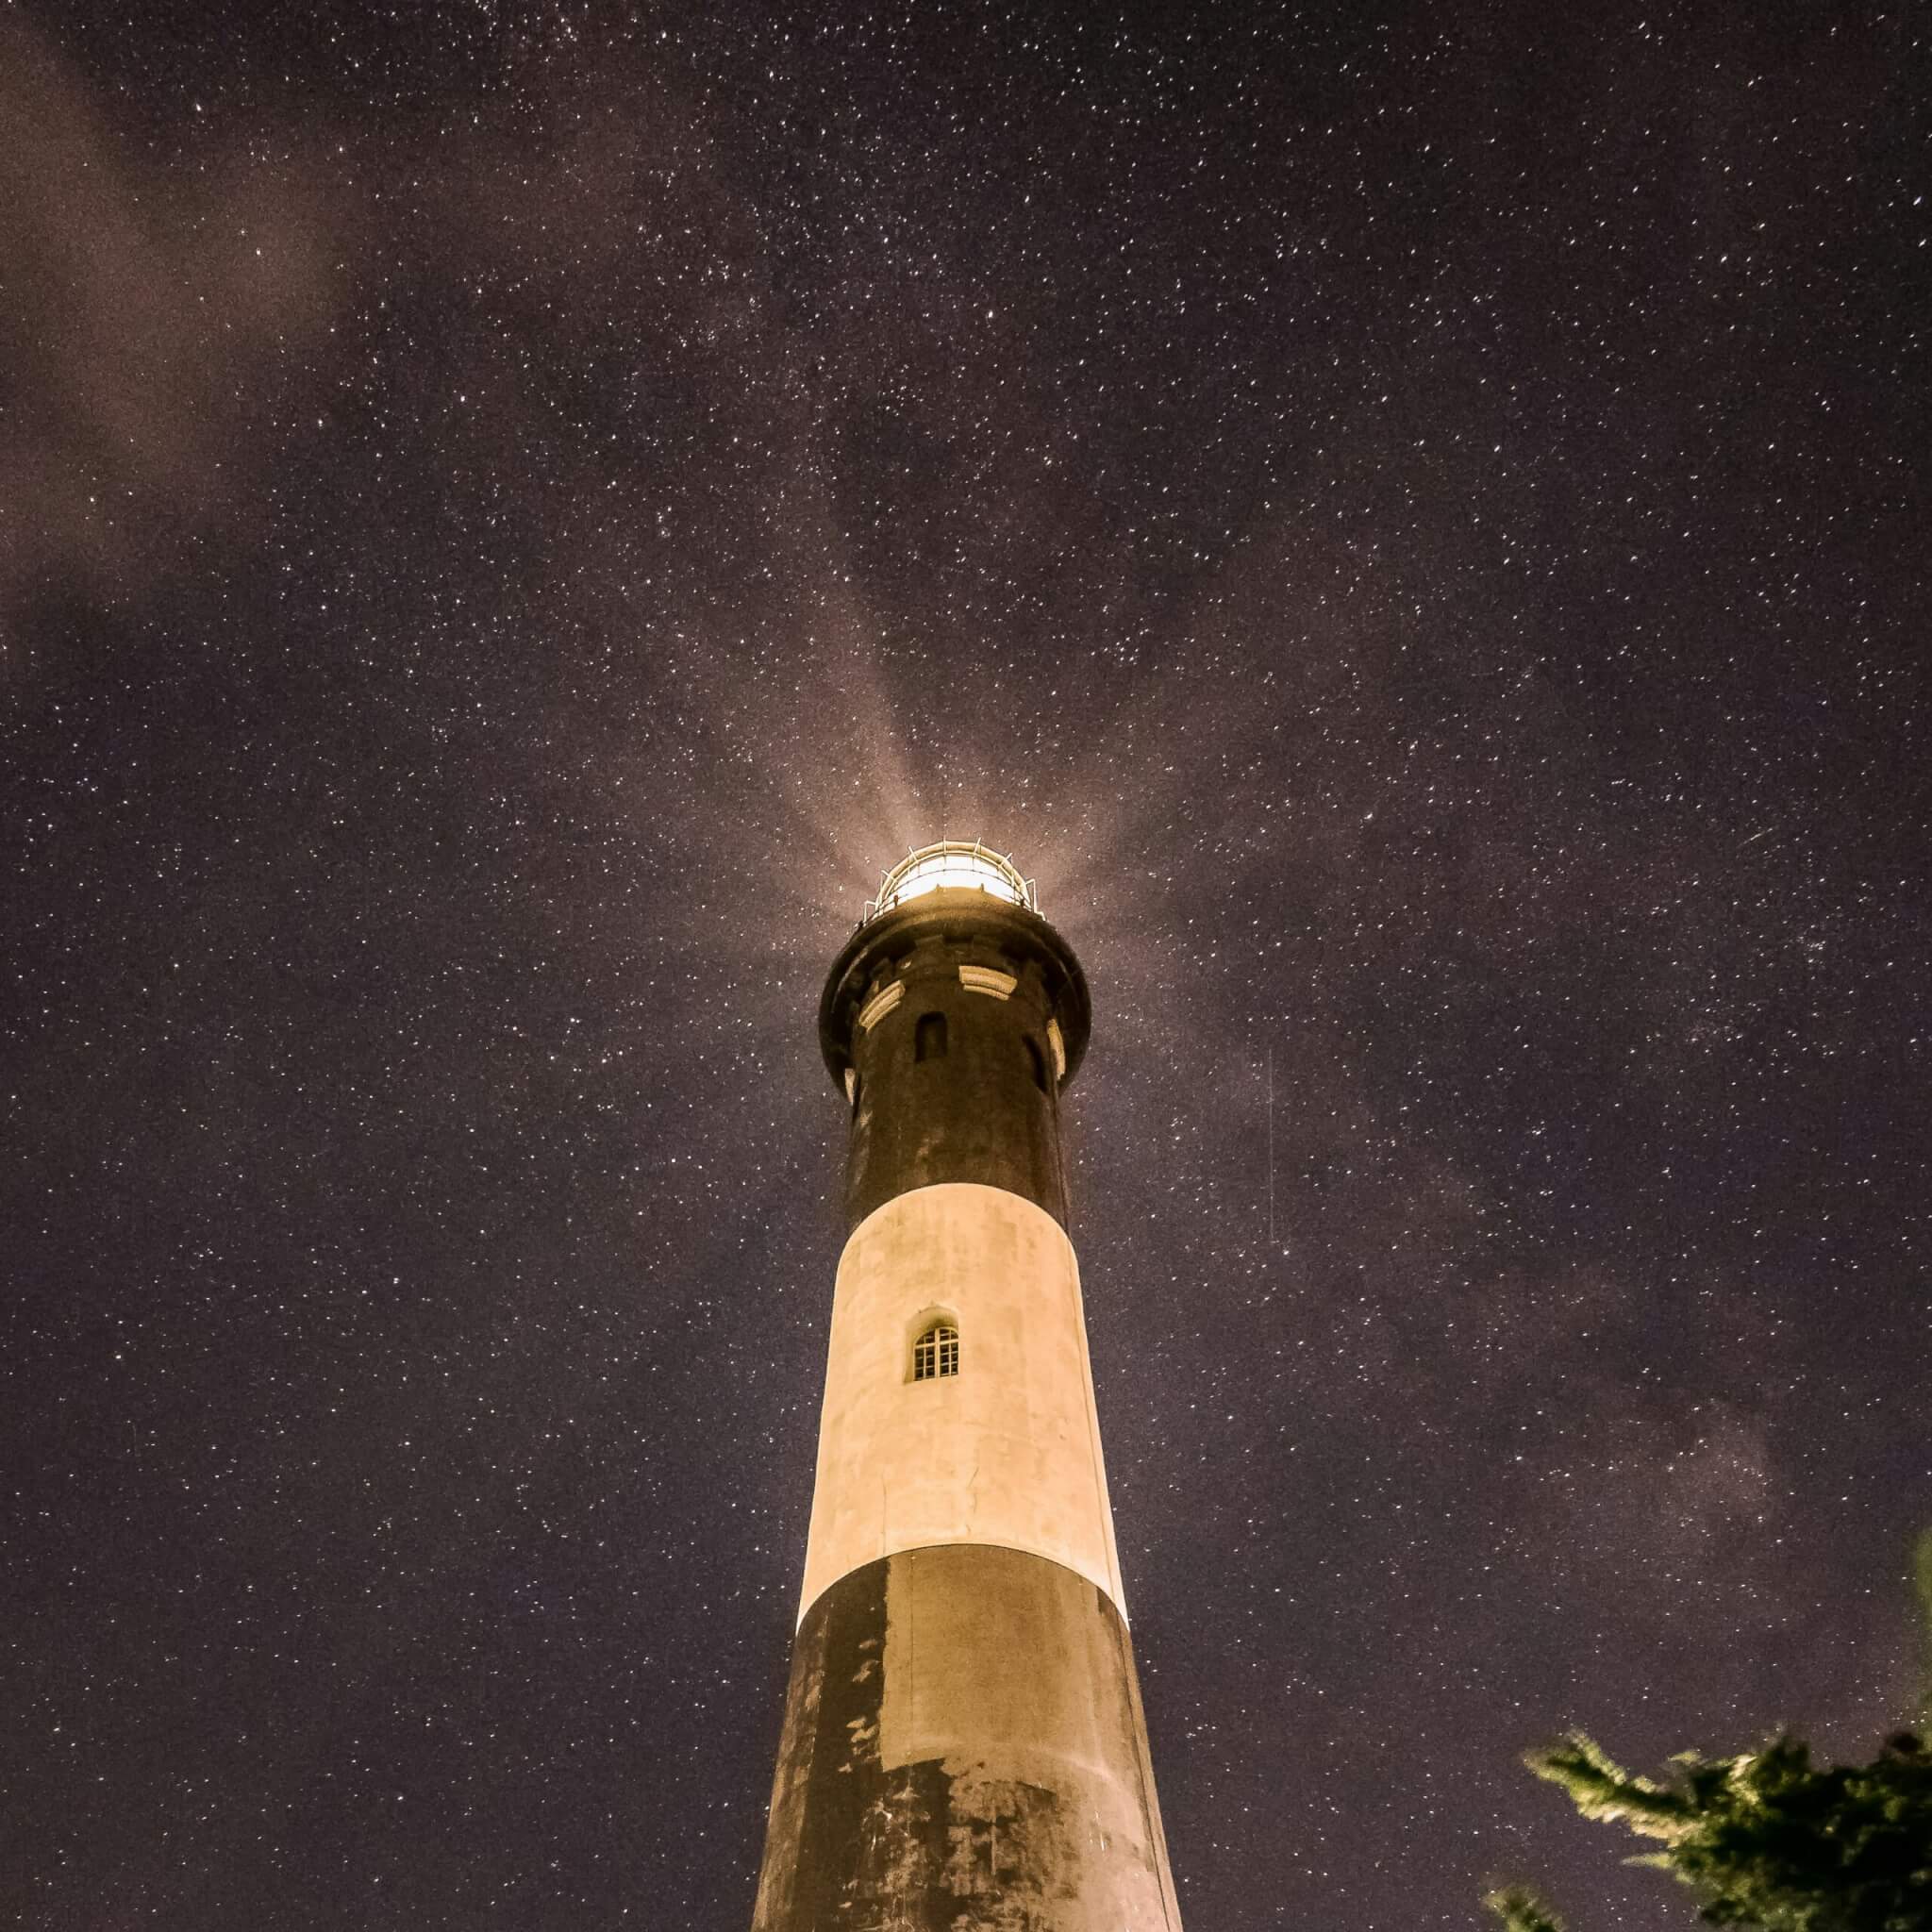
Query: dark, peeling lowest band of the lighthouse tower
[(965, 1751)]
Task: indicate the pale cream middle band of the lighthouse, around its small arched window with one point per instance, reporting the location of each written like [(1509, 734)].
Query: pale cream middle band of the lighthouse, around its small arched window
[(1006, 1452)]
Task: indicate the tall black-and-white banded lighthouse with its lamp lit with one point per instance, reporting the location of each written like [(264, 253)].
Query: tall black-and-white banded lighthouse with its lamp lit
[(963, 1732)]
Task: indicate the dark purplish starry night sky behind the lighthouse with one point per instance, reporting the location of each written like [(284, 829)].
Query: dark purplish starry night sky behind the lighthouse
[(1409, 521)]
